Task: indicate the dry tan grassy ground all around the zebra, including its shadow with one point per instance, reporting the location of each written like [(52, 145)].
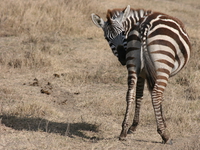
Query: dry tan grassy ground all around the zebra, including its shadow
[(62, 88)]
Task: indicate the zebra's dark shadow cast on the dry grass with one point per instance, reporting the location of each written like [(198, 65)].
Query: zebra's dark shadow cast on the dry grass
[(39, 124)]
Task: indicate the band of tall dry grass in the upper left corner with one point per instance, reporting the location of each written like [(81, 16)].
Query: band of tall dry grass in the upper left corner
[(45, 17)]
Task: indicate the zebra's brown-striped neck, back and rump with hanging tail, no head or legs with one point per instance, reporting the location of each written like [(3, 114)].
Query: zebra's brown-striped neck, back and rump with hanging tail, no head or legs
[(150, 25)]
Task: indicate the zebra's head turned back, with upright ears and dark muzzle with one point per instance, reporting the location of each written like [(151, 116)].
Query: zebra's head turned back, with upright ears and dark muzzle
[(114, 31)]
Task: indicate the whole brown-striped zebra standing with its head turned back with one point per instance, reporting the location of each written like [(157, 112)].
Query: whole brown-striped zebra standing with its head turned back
[(153, 46)]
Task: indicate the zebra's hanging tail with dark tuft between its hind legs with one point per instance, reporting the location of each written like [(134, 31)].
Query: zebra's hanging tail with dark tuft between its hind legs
[(148, 64)]
